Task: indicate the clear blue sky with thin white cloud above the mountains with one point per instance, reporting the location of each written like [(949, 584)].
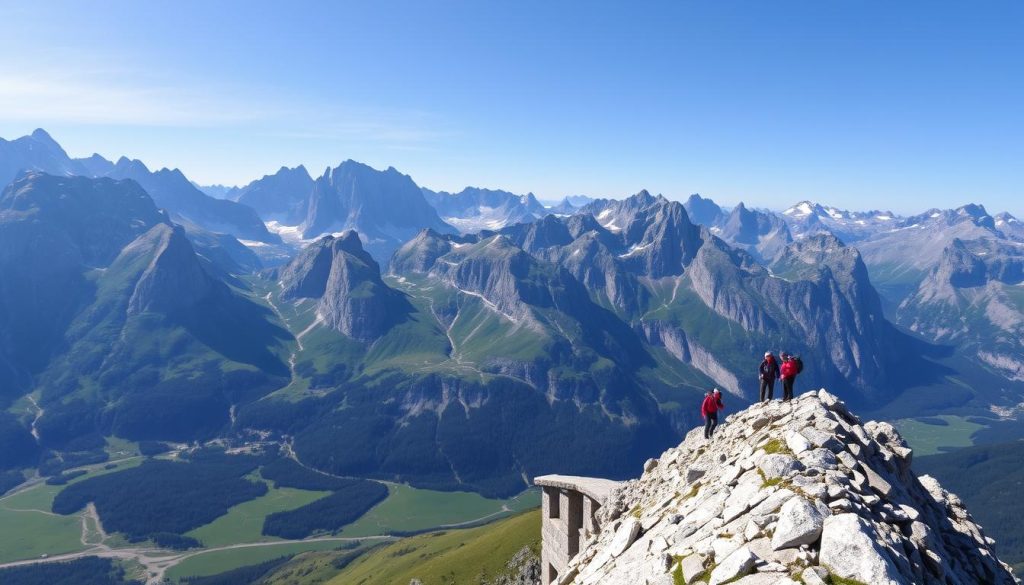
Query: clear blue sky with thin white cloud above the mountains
[(901, 106)]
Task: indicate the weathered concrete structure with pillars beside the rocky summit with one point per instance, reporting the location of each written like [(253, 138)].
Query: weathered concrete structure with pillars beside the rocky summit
[(570, 508)]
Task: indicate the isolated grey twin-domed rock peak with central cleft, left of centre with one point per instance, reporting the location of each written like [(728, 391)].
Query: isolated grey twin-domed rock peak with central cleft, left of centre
[(353, 299)]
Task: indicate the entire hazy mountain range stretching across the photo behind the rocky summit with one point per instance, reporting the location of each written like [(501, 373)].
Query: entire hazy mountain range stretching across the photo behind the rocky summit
[(397, 332)]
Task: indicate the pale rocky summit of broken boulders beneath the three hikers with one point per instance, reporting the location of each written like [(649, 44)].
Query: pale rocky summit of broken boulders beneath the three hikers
[(798, 492)]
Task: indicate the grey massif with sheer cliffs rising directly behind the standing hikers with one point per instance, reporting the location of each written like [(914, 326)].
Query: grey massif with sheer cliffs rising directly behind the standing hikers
[(818, 298)]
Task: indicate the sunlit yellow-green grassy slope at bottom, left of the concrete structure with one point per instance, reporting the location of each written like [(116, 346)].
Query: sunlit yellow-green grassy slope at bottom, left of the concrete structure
[(463, 555)]
